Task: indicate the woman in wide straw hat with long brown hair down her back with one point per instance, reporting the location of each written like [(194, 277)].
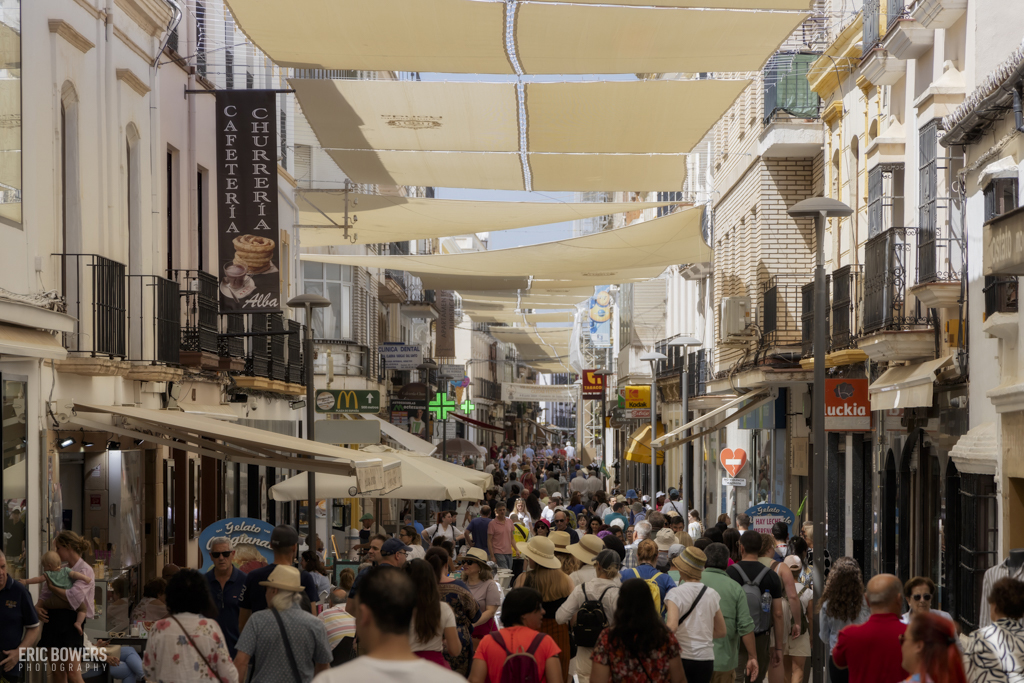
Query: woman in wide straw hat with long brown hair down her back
[(545, 576)]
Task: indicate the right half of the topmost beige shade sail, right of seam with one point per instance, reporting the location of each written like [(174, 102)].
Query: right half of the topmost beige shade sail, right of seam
[(594, 39)]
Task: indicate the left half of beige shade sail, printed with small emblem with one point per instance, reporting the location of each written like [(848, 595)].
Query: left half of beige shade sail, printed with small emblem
[(411, 115)]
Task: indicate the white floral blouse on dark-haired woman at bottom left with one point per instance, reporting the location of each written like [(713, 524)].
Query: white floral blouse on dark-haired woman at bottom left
[(172, 659)]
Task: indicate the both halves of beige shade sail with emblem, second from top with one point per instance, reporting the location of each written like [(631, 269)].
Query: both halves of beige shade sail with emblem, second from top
[(456, 116)]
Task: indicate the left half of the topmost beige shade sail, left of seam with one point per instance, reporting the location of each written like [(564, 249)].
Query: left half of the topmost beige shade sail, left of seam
[(440, 36)]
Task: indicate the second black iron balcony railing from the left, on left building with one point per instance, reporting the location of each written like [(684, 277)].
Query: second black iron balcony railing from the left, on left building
[(154, 320)]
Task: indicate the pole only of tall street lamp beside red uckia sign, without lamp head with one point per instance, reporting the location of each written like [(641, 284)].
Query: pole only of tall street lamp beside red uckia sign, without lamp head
[(819, 419)]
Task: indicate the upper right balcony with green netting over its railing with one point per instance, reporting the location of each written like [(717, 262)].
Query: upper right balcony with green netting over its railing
[(791, 109)]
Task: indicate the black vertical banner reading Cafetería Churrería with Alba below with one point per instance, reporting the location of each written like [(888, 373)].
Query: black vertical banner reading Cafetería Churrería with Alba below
[(247, 201)]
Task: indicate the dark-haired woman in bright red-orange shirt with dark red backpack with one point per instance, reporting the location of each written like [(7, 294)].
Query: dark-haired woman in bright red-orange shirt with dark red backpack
[(523, 613)]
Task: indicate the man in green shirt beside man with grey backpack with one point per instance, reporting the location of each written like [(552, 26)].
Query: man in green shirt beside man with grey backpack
[(739, 624)]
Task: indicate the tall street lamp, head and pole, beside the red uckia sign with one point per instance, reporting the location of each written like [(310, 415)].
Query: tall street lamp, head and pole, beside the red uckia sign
[(820, 208)]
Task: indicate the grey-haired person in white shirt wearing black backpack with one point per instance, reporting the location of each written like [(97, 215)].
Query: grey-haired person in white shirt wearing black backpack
[(604, 589)]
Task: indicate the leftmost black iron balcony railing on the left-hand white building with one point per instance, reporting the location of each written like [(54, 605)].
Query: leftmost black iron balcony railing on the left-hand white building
[(95, 290)]
